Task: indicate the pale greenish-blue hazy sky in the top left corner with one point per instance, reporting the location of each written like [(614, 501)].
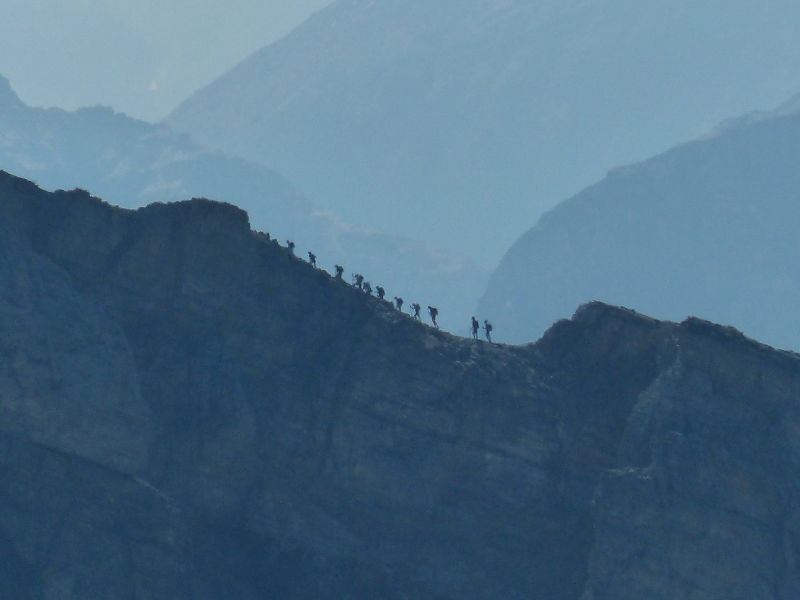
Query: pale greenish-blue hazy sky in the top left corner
[(141, 57)]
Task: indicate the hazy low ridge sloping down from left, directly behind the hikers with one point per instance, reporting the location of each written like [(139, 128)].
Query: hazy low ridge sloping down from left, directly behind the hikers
[(132, 163)]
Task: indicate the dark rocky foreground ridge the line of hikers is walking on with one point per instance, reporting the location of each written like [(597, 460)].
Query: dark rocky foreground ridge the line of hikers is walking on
[(188, 412)]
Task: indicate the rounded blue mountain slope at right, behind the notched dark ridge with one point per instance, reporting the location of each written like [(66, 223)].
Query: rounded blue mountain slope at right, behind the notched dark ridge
[(709, 228)]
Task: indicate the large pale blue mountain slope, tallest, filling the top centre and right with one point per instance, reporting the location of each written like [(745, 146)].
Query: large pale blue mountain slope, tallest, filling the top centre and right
[(461, 121)]
